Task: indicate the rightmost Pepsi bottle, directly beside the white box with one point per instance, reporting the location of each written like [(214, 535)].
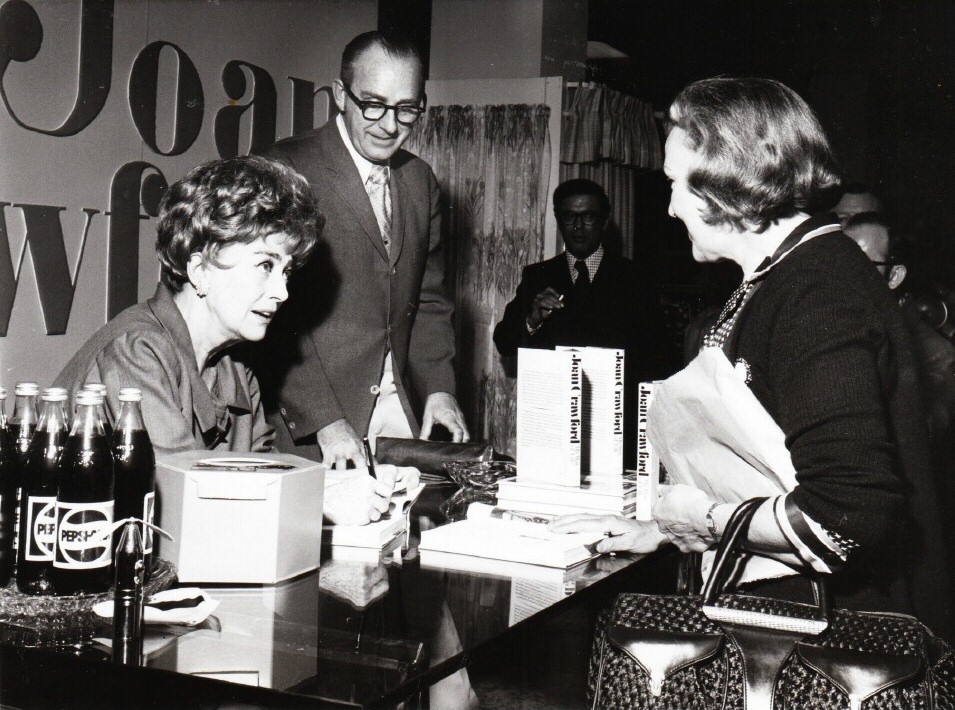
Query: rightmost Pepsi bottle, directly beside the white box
[(135, 467)]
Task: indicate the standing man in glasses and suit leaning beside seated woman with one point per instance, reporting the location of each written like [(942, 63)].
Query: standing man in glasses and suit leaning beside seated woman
[(367, 346)]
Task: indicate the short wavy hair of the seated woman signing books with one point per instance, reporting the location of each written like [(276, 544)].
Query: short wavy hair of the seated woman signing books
[(234, 200)]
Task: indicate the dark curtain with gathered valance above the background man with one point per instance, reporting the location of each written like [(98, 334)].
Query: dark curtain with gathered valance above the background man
[(607, 136)]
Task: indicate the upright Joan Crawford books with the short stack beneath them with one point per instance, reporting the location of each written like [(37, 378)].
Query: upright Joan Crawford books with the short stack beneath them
[(570, 427)]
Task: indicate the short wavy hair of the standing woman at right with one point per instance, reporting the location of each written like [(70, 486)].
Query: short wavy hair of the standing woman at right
[(764, 155)]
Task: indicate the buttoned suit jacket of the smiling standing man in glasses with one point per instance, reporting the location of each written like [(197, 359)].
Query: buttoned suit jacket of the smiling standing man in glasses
[(353, 302)]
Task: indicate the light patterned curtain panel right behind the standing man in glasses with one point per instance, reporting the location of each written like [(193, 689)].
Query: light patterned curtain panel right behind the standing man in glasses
[(493, 165)]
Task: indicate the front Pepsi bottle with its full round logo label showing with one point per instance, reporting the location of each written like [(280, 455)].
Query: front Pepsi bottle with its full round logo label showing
[(84, 505)]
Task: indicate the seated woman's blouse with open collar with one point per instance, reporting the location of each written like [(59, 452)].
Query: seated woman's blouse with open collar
[(148, 346)]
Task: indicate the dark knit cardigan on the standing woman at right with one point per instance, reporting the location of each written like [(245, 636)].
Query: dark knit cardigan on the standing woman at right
[(831, 360)]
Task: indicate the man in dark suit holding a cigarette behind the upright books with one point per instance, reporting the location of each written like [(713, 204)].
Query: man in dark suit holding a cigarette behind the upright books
[(587, 296)]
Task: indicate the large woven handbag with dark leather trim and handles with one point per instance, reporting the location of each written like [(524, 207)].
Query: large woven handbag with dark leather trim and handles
[(734, 651)]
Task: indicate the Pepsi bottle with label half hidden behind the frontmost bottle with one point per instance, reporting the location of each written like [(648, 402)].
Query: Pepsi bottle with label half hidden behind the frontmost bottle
[(37, 529)]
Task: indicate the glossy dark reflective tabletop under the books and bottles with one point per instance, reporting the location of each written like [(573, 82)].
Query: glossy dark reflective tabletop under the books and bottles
[(367, 630)]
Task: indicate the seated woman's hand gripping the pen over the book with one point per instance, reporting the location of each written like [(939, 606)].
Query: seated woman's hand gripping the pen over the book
[(356, 498)]
